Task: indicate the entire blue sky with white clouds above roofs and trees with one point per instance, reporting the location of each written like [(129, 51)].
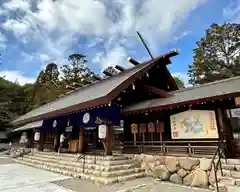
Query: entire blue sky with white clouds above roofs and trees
[(34, 33)]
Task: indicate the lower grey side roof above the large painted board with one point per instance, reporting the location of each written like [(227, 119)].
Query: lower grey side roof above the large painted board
[(215, 89)]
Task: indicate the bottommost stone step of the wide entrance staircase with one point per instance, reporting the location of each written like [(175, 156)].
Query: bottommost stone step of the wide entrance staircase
[(98, 179)]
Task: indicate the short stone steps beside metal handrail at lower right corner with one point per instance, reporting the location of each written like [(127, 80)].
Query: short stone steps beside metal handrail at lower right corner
[(231, 175)]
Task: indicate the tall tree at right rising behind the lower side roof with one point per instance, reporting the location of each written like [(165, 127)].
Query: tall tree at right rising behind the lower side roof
[(216, 55)]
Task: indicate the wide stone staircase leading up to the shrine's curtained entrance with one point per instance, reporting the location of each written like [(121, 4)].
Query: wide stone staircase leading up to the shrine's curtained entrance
[(100, 169)]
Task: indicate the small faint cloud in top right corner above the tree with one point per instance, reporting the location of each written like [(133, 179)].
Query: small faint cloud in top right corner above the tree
[(232, 11)]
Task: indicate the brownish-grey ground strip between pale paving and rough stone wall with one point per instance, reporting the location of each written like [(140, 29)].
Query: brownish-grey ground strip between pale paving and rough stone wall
[(140, 185)]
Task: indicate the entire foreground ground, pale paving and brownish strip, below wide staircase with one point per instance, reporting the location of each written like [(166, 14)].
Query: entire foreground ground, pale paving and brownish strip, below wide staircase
[(19, 178)]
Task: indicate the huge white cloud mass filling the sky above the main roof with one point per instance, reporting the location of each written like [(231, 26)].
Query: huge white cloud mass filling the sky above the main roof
[(56, 25)]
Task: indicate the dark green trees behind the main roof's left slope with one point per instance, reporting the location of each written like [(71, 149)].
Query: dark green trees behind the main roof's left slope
[(16, 100)]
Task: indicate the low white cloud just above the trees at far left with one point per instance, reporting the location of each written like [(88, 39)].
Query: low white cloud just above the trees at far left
[(16, 76)]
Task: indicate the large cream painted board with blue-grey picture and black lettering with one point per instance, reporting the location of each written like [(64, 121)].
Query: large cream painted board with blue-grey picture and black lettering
[(194, 124)]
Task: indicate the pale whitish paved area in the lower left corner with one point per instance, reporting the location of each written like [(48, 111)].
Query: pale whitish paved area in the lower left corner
[(19, 178)]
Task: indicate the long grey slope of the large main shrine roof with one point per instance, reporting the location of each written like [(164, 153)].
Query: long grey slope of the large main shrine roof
[(100, 92)]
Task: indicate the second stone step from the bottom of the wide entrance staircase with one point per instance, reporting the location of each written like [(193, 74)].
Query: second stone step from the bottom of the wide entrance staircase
[(87, 169)]
